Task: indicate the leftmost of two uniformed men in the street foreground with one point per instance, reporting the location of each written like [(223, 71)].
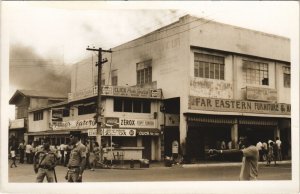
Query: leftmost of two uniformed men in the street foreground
[(44, 163)]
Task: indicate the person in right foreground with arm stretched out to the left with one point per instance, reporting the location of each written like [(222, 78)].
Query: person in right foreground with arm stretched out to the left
[(249, 169)]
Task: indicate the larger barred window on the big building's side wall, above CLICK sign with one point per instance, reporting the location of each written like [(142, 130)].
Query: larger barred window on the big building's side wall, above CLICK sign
[(144, 72)]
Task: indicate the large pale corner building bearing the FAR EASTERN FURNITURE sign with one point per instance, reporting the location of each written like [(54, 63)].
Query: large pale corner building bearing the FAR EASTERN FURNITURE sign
[(218, 79)]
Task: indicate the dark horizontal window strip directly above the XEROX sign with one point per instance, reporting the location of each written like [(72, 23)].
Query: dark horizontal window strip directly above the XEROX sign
[(132, 105)]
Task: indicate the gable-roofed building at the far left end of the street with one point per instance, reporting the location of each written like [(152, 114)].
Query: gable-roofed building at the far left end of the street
[(24, 101)]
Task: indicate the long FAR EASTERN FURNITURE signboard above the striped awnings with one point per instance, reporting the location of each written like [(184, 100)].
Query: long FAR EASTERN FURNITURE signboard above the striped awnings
[(224, 105)]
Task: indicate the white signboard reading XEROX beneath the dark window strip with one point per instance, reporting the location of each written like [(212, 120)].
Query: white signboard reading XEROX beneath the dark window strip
[(137, 123)]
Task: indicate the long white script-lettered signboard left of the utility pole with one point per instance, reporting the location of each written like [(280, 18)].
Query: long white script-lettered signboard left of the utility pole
[(75, 124)]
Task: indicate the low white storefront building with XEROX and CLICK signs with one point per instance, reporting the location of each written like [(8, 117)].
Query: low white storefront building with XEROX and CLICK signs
[(129, 117)]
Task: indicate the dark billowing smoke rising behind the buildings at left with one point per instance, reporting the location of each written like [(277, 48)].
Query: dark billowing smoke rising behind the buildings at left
[(28, 70)]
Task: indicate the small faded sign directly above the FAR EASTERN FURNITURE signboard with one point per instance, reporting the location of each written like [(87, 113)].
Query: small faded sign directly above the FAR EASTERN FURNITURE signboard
[(261, 94)]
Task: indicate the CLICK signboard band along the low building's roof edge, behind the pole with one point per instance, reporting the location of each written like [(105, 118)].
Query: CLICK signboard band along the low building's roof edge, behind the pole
[(134, 92)]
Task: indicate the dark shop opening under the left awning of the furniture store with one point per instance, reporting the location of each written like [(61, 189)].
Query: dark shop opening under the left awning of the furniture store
[(202, 137)]
